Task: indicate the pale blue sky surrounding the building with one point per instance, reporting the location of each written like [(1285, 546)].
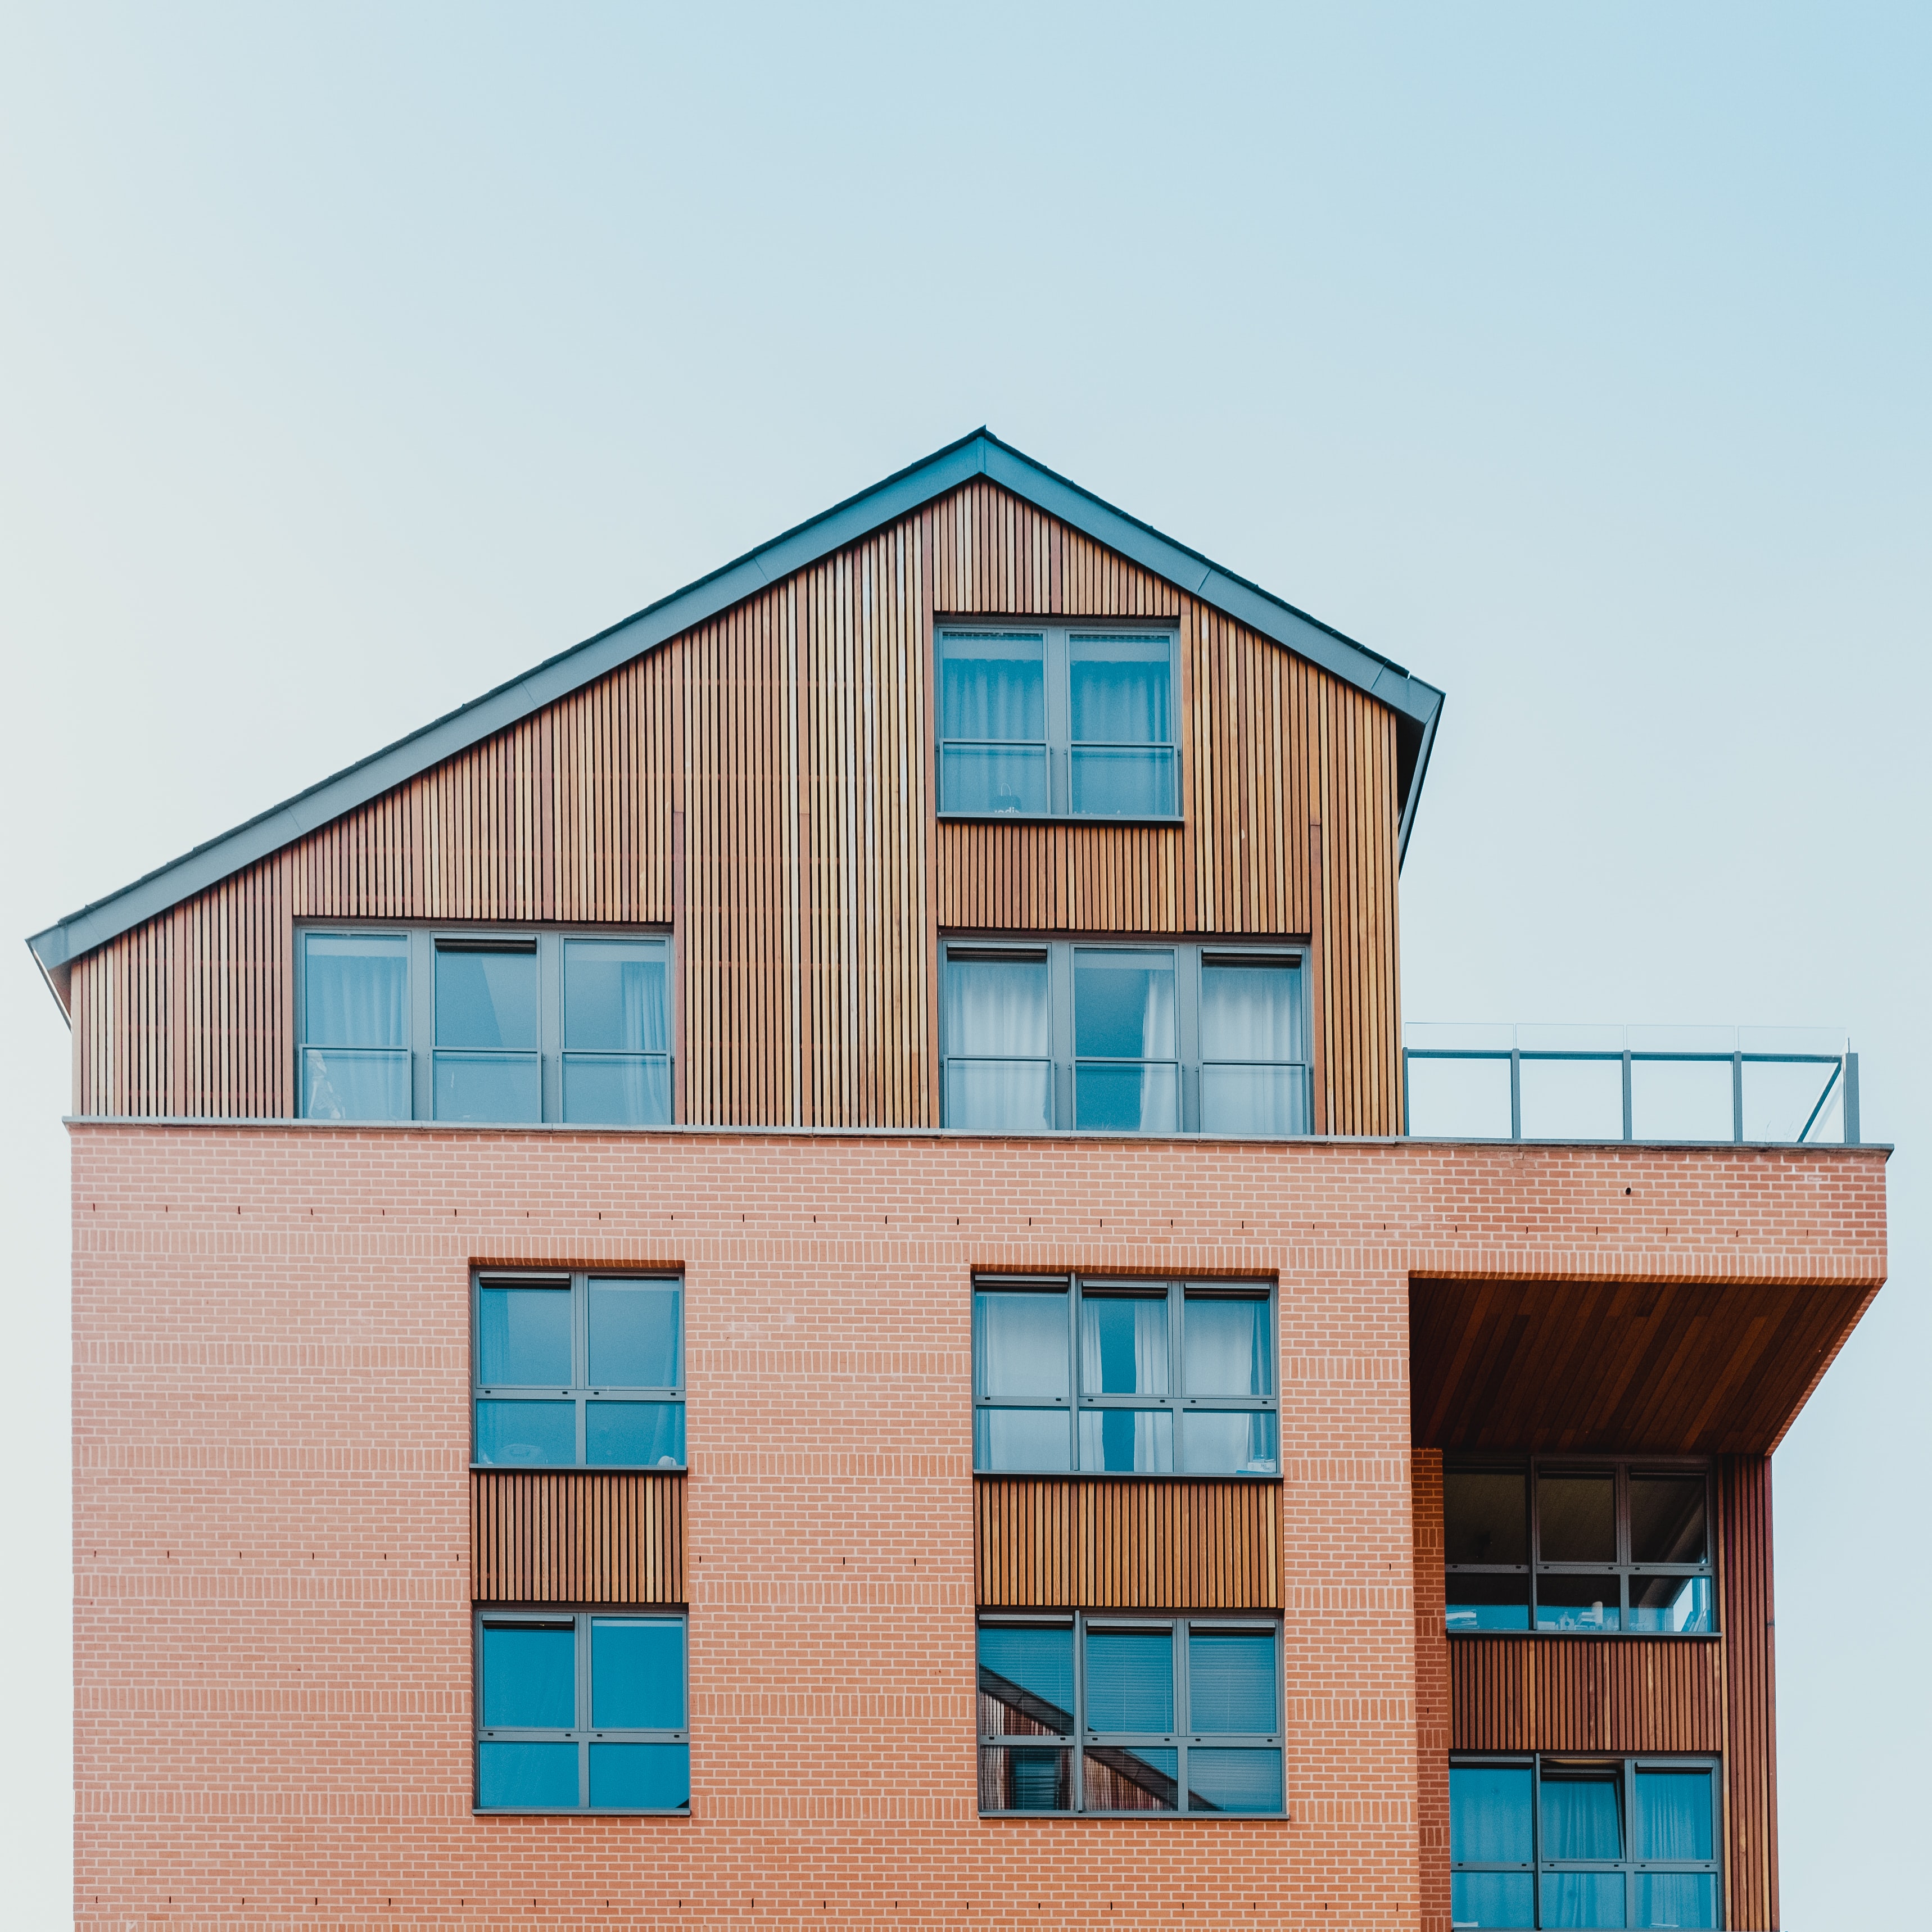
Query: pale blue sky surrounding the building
[(1576, 358)]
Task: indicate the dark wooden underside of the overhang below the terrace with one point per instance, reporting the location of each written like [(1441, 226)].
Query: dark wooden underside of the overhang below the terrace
[(1628, 1367)]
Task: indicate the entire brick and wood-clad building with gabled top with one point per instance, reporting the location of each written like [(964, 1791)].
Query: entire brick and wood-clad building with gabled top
[(776, 1278)]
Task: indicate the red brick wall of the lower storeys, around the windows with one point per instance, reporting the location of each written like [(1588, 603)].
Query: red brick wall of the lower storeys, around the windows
[(271, 1523)]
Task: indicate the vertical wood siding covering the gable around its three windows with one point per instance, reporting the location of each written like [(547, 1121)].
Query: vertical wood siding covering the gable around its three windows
[(764, 787)]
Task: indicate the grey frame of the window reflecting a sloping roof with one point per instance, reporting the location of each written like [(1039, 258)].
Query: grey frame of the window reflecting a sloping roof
[(1181, 1740)]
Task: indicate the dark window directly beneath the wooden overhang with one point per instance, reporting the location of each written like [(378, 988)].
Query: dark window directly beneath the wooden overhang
[(1579, 1547)]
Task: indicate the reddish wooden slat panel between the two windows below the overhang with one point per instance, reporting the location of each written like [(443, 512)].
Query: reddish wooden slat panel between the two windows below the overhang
[(1583, 1693)]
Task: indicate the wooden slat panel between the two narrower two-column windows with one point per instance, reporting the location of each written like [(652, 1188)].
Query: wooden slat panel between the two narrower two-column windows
[(577, 1537)]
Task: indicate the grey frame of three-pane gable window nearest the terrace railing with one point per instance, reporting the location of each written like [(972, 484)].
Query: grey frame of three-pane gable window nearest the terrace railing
[(1191, 959)]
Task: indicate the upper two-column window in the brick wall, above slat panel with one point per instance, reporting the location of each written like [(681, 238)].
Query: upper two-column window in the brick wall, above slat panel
[(579, 1371)]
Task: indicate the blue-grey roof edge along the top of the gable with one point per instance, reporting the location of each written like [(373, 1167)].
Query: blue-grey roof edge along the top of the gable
[(1415, 704)]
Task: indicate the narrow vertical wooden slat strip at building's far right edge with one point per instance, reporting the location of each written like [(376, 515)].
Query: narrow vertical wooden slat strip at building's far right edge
[(1751, 1693)]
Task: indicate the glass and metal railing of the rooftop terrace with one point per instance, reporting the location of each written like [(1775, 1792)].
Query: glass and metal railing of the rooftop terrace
[(1630, 1083)]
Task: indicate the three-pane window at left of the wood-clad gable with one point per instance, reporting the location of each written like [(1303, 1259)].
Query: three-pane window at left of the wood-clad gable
[(484, 1027)]
